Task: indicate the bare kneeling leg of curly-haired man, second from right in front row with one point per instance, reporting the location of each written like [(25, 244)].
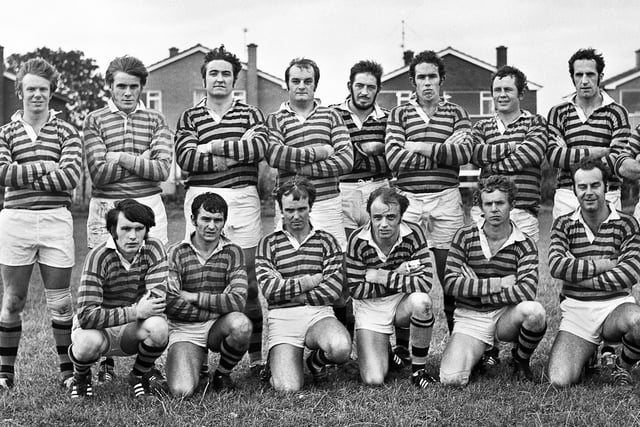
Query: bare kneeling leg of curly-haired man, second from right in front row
[(459, 357)]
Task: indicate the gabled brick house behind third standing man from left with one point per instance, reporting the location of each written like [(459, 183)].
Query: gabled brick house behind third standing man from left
[(175, 83)]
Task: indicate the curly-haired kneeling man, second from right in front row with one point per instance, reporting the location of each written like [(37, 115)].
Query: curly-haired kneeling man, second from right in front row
[(492, 271)]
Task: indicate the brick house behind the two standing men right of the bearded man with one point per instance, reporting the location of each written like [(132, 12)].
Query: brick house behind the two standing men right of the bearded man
[(467, 83)]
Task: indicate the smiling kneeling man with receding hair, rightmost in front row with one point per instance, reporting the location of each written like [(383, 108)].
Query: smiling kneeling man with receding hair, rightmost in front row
[(595, 252)]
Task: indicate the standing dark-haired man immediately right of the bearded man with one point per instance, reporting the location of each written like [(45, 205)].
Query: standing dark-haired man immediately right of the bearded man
[(427, 141)]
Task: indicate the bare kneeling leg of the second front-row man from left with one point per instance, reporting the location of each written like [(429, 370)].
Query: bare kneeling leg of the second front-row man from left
[(183, 368)]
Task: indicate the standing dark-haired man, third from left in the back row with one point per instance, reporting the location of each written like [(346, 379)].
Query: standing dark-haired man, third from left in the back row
[(219, 143)]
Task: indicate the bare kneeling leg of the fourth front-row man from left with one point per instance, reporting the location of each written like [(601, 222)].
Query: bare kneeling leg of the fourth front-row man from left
[(372, 356)]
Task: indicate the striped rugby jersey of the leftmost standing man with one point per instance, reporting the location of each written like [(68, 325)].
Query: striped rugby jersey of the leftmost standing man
[(29, 184)]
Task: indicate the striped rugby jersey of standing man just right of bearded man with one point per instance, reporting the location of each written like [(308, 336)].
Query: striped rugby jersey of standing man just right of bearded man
[(417, 173)]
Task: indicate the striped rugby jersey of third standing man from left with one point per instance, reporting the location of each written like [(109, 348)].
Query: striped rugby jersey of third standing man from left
[(199, 125)]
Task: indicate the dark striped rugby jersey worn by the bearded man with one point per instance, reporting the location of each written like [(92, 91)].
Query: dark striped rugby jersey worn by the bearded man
[(365, 166)]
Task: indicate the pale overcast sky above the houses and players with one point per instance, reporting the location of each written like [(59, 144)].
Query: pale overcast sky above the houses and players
[(540, 34)]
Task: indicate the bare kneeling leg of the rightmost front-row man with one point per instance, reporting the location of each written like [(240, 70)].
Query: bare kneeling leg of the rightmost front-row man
[(568, 356)]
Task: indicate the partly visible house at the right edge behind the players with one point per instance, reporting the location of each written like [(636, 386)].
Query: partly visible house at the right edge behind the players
[(625, 89)]
